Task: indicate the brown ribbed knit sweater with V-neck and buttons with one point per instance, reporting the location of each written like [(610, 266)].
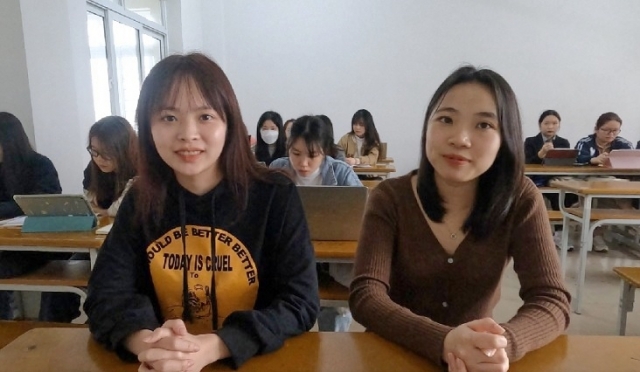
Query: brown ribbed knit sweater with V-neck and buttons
[(410, 291)]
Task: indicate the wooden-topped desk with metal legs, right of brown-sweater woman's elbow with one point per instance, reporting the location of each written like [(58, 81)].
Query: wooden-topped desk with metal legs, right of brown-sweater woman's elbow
[(590, 190)]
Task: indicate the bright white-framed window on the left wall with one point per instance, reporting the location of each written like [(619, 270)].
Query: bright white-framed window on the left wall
[(126, 39)]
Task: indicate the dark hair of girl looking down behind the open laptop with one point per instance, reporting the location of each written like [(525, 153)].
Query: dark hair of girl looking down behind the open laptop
[(314, 132)]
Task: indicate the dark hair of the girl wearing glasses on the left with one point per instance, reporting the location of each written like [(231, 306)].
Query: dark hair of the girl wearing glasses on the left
[(119, 142)]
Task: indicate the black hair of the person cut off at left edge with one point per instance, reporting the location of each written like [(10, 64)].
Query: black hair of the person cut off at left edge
[(17, 152)]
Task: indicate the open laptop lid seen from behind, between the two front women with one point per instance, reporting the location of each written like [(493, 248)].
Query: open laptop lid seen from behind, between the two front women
[(333, 212)]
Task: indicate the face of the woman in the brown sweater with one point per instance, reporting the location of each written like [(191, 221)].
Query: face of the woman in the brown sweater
[(463, 134)]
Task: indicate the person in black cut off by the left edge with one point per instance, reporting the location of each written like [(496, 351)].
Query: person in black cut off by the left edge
[(22, 171)]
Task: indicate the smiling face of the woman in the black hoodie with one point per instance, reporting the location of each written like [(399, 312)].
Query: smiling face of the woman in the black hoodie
[(189, 136)]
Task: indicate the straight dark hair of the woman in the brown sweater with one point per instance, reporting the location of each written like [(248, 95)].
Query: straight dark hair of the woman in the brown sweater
[(498, 186)]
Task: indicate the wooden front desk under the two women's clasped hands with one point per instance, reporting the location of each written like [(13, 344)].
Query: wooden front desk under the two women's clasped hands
[(61, 350)]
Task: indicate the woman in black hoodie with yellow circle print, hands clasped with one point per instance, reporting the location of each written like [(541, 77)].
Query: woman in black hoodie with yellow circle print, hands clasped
[(153, 295)]
